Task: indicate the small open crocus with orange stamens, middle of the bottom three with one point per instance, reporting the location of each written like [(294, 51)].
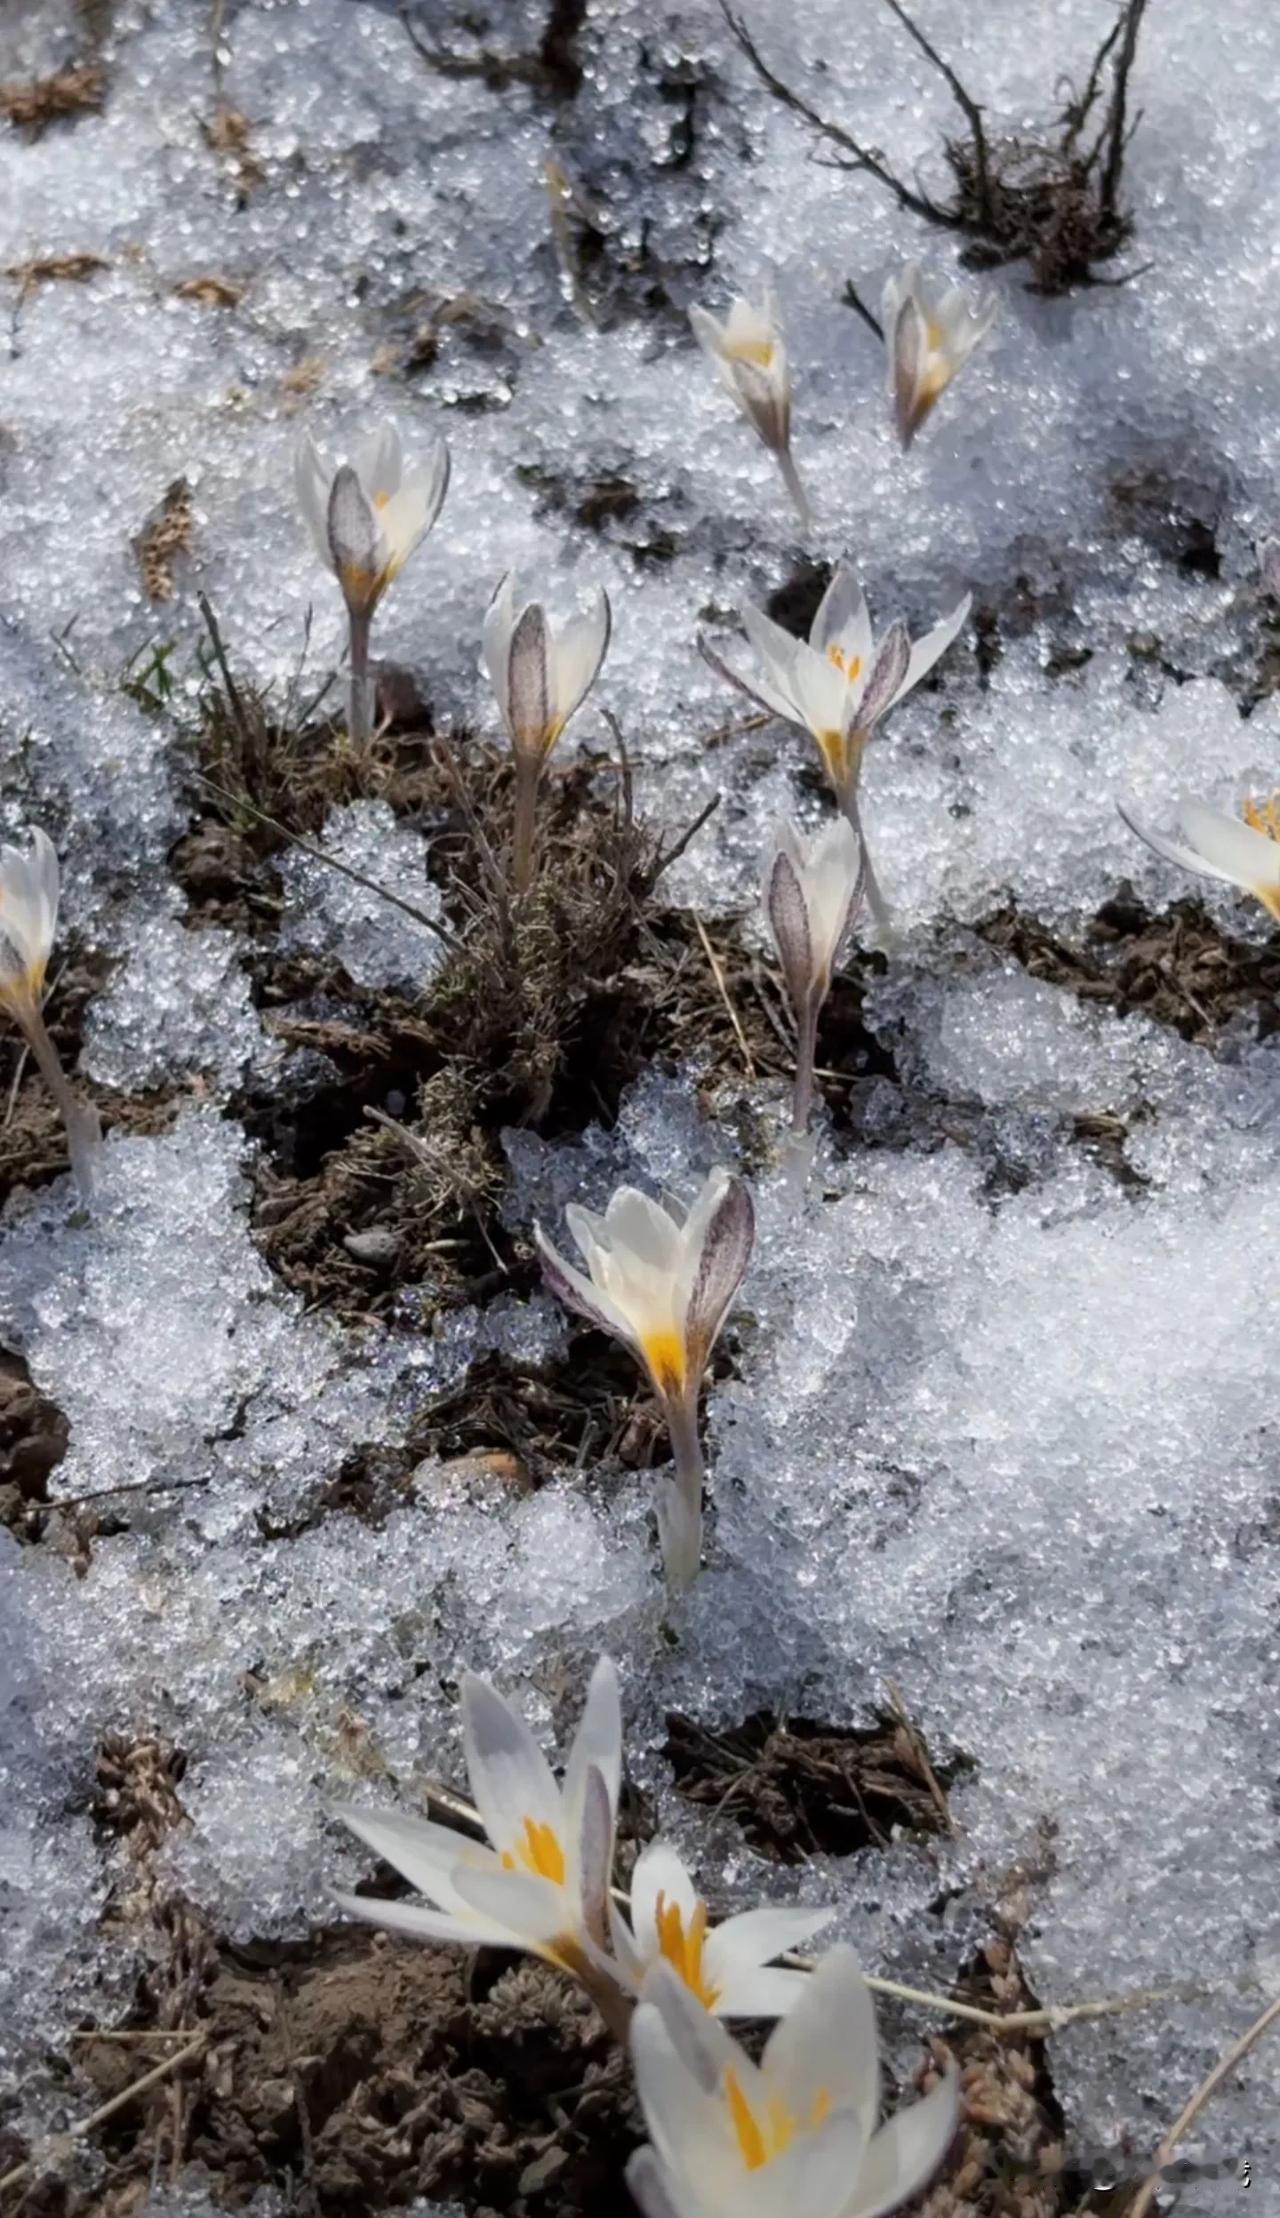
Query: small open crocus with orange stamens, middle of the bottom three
[(729, 1966)]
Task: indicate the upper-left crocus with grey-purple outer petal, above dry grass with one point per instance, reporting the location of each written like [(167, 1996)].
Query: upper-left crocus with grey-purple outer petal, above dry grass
[(367, 518)]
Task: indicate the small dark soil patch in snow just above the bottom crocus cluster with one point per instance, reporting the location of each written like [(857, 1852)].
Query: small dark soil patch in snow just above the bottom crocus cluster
[(802, 1789)]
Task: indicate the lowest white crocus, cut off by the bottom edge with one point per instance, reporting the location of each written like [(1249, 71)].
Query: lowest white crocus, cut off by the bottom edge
[(793, 2137)]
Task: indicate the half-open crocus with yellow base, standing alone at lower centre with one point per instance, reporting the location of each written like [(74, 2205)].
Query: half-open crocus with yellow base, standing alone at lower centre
[(662, 1285)]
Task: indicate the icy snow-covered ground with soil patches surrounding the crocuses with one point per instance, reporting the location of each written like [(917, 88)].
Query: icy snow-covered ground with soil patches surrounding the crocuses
[(986, 1651)]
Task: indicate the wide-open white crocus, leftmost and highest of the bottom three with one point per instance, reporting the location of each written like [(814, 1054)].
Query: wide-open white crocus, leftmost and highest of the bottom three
[(542, 1880)]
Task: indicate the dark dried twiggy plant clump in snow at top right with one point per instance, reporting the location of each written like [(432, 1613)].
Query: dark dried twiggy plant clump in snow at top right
[(1053, 199)]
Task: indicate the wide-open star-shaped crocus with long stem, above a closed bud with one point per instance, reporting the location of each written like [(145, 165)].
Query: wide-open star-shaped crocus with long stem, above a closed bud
[(840, 684)]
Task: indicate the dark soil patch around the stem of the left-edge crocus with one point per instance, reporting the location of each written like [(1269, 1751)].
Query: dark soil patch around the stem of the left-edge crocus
[(32, 1139)]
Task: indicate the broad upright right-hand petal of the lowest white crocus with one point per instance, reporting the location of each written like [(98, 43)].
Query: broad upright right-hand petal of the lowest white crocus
[(829, 2044)]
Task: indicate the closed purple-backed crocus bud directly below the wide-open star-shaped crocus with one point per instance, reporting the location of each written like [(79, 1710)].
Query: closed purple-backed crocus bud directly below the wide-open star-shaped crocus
[(811, 895)]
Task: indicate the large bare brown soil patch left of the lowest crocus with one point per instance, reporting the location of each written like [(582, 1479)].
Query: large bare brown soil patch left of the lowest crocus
[(360, 2073)]
